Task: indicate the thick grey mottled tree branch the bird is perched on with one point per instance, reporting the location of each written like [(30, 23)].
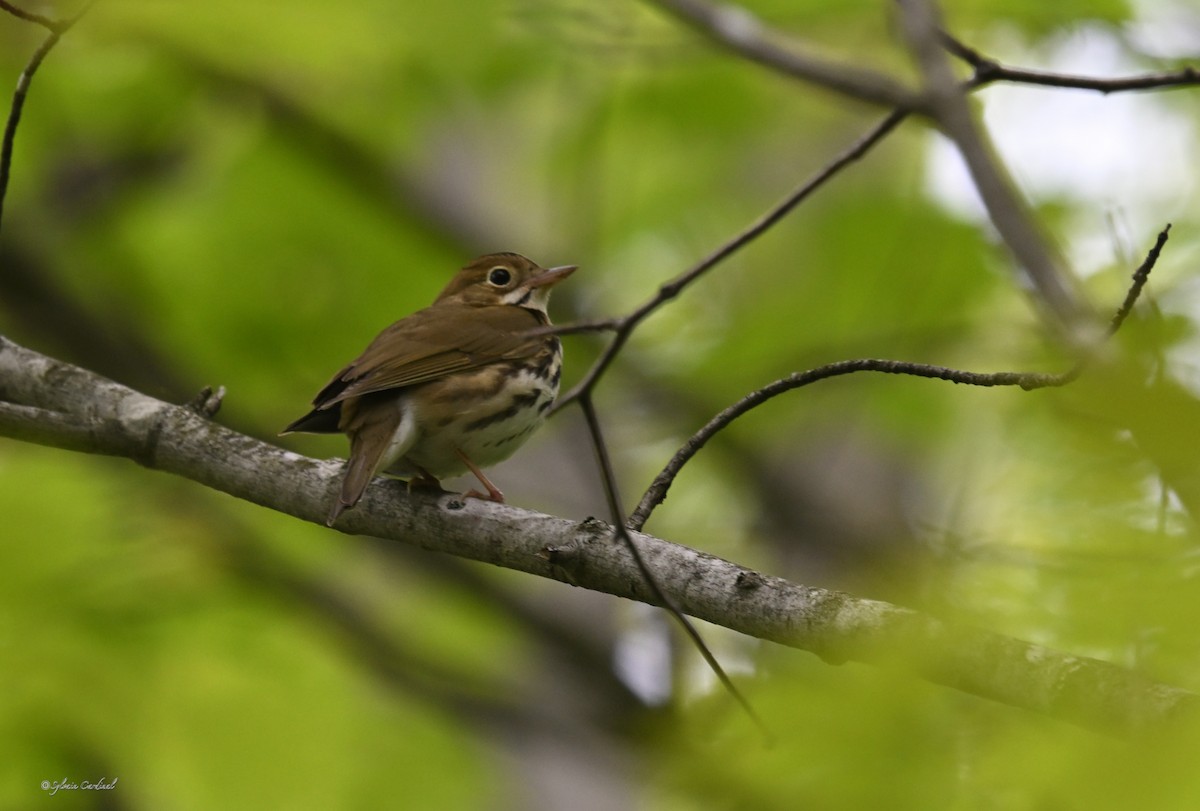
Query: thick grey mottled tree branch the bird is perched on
[(103, 417)]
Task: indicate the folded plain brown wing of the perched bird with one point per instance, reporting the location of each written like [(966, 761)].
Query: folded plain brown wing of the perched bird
[(421, 349)]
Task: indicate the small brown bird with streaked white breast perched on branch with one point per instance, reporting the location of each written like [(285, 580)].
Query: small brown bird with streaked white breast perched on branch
[(457, 387)]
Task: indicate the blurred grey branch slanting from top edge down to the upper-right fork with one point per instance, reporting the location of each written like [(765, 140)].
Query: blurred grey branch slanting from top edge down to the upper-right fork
[(736, 29)]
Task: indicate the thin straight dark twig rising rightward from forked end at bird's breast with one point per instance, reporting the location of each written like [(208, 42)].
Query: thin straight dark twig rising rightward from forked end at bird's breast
[(626, 326)]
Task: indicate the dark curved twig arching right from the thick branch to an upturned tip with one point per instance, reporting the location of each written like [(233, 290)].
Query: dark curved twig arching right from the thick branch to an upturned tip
[(658, 490)]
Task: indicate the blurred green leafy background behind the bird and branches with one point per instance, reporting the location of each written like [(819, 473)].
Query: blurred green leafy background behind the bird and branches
[(243, 195)]
